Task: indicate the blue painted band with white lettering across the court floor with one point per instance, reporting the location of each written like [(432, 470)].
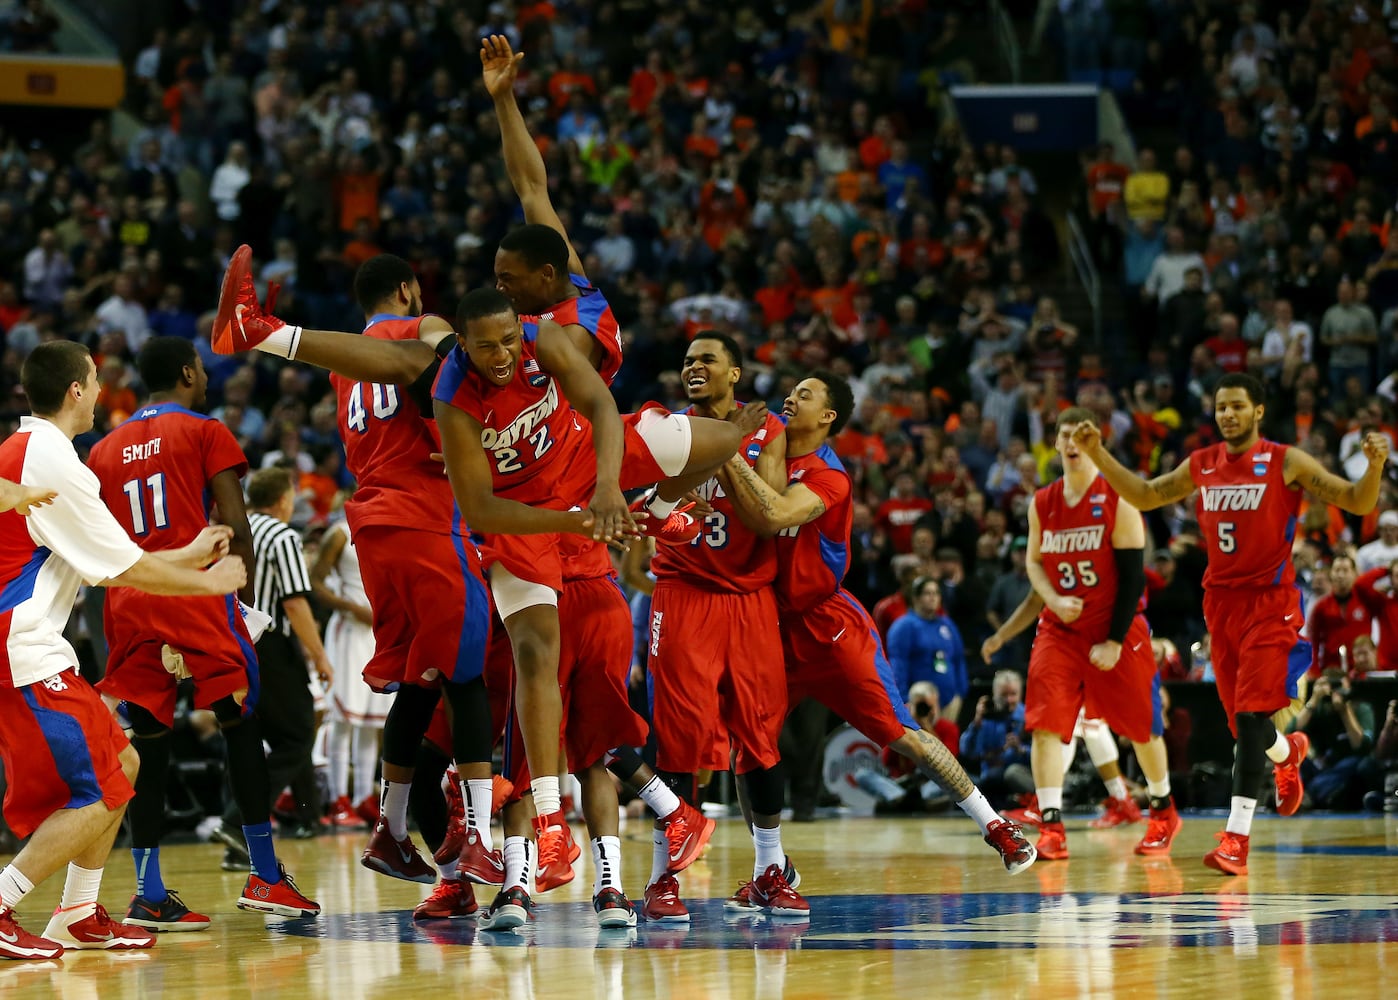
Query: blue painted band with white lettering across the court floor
[(928, 922)]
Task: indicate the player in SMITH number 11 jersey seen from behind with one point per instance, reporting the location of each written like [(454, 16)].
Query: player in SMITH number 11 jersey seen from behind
[(160, 473)]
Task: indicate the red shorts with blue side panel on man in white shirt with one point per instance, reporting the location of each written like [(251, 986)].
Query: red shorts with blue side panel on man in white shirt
[(61, 749)]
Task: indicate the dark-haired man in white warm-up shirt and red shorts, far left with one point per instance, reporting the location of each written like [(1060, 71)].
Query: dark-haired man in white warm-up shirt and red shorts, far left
[(69, 766)]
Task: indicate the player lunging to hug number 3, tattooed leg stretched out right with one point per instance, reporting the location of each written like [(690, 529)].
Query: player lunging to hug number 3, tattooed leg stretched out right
[(831, 645)]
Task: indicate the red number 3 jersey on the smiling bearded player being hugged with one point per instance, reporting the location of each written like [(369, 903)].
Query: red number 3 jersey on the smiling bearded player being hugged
[(726, 556)]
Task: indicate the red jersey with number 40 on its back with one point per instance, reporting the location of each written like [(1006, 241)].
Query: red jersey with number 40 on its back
[(389, 447)]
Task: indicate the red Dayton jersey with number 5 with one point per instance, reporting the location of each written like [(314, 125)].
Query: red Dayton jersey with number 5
[(1248, 515)]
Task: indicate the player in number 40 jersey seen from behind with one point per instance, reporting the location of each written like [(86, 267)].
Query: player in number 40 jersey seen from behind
[(421, 571)]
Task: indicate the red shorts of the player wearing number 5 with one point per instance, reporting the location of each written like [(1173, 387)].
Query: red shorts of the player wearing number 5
[(1252, 634)]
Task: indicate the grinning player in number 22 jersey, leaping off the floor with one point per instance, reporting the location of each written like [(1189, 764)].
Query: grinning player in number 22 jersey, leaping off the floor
[(522, 459)]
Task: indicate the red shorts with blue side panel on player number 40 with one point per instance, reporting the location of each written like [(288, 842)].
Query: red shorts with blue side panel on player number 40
[(431, 610)]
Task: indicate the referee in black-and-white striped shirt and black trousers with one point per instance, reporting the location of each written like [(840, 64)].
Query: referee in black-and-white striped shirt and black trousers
[(286, 707)]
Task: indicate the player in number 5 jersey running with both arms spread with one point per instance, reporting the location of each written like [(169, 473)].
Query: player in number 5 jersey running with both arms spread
[(1249, 496)]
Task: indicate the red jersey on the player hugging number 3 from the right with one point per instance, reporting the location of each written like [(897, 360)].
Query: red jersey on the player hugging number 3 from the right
[(814, 557)]
